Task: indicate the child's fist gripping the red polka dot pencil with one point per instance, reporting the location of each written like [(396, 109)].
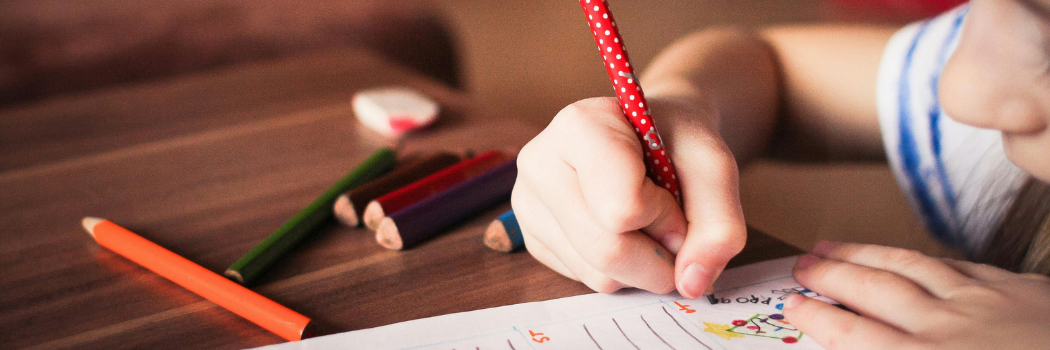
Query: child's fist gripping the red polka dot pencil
[(589, 212)]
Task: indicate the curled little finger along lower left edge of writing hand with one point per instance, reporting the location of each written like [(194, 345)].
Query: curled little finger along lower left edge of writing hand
[(539, 225)]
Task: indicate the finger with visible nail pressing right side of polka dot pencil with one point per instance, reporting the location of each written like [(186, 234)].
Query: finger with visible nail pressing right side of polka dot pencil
[(717, 231)]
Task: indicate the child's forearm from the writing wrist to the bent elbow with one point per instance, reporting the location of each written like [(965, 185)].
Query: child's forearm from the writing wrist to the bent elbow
[(731, 72)]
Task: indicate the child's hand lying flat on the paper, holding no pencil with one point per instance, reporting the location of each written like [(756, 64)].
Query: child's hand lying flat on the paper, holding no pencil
[(910, 301)]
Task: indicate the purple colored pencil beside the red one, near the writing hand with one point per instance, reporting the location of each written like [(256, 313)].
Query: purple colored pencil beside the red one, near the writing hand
[(426, 219)]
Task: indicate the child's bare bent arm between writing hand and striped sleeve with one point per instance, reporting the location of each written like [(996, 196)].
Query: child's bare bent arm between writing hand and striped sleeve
[(797, 92)]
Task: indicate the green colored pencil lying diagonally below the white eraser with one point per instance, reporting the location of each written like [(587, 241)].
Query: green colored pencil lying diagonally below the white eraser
[(308, 221)]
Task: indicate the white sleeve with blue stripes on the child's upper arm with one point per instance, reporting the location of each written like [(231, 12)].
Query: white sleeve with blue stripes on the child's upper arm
[(957, 177)]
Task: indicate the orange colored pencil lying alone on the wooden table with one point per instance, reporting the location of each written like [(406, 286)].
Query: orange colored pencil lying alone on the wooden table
[(245, 303)]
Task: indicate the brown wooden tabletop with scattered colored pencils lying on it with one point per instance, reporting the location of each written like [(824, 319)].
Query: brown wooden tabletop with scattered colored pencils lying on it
[(208, 166)]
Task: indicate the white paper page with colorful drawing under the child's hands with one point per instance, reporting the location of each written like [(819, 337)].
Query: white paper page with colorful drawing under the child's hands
[(748, 318)]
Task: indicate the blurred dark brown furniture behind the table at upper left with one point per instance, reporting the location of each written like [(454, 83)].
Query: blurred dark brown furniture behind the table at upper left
[(53, 48)]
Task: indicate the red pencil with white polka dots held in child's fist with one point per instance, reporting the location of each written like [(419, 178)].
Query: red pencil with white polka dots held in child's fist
[(633, 101)]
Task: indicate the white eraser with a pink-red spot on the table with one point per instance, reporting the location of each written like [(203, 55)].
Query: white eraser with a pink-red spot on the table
[(394, 111)]
